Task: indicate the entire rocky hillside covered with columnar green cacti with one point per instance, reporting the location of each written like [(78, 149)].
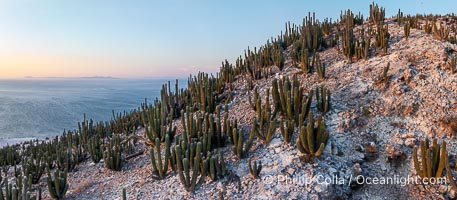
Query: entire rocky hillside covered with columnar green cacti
[(305, 116)]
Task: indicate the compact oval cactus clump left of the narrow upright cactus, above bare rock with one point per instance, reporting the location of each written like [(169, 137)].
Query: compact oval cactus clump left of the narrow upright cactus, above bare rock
[(113, 155)]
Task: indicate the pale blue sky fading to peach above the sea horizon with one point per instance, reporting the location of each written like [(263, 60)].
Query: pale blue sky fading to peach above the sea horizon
[(153, 38)]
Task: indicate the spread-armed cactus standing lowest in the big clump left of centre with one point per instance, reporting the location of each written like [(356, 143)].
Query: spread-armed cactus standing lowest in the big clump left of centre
[(191, 181)]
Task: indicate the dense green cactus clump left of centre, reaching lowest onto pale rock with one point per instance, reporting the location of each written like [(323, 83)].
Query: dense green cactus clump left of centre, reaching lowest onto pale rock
[(195, 149)]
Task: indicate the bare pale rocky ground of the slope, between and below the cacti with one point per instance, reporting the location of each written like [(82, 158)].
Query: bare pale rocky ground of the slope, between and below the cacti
[(372, 128)]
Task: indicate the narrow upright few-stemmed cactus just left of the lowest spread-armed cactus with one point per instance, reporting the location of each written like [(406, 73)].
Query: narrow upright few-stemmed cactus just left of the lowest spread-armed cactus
[(159, 168)]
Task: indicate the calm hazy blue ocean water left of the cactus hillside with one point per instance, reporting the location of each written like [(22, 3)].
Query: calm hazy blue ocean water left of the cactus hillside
[(39, 108)]
